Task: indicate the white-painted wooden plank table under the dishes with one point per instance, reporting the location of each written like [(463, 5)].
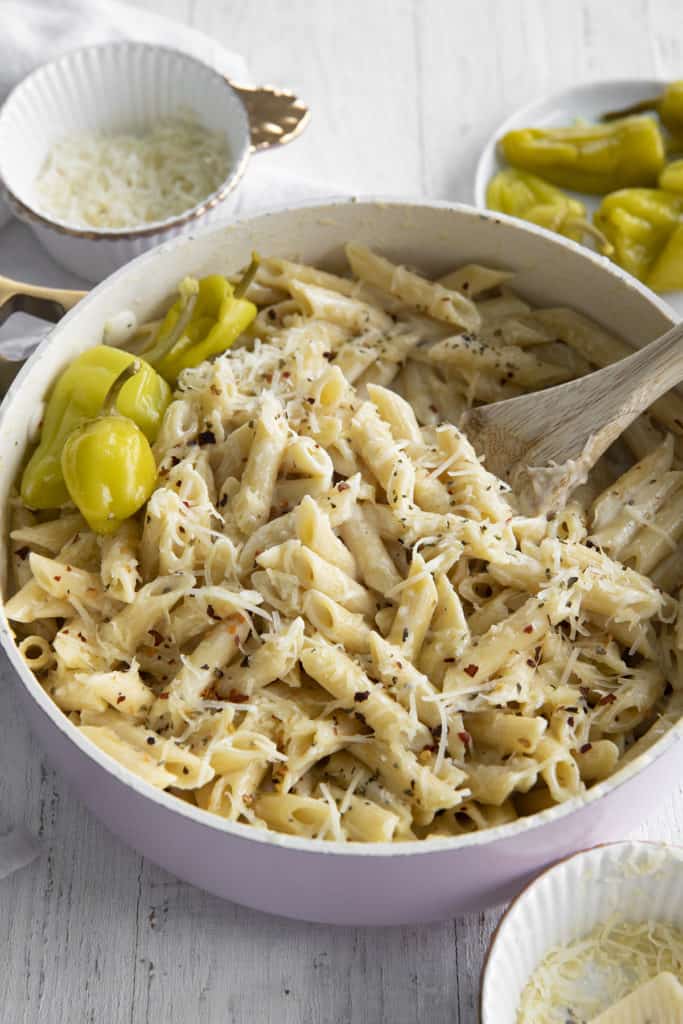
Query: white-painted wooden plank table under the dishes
[(404, 94)]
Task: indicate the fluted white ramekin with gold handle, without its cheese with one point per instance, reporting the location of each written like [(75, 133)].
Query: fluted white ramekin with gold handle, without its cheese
[(126, 87)]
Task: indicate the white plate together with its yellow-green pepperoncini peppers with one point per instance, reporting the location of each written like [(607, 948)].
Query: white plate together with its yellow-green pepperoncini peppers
[(603, 164)]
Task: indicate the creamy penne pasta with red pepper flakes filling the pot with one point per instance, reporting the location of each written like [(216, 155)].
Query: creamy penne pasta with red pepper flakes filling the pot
[(331, 620)]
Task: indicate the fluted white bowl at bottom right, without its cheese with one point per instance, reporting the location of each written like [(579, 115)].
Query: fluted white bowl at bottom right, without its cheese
[(638, 881)]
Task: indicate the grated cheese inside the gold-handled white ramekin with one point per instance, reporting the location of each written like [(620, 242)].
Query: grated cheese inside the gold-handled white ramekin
[(123, 182)]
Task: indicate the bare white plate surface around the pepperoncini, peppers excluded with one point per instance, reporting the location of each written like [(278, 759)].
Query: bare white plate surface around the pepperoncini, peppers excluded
[(589, 102)]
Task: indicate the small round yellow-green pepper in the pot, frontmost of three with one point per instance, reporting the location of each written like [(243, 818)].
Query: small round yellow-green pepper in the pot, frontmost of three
[(108, 464)]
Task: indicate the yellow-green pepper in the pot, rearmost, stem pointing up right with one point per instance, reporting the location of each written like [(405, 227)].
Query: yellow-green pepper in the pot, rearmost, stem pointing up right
[(208, 317)]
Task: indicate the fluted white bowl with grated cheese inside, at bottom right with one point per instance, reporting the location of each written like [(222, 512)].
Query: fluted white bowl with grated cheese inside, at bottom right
[(593, 941)]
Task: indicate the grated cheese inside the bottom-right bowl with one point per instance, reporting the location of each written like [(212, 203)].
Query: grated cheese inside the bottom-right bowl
[(579, 982)]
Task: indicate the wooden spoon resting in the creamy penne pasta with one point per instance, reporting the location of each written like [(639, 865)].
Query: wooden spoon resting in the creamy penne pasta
[(545, 444)]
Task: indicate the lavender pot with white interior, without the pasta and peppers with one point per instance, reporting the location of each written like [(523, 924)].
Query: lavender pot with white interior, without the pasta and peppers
[(314, 880)]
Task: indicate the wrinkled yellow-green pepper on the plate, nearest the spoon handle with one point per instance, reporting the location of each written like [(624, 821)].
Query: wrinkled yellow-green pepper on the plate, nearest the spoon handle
[(644, 226)]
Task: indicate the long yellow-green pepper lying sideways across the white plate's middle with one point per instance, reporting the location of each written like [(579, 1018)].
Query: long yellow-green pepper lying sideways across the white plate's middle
[(596, 159)]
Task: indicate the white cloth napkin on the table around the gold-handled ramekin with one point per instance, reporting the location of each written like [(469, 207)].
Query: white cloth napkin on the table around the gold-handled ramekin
[(36, 31)]
